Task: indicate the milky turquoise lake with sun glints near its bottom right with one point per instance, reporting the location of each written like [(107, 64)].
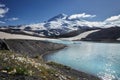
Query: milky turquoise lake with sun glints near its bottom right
[(99, 59)]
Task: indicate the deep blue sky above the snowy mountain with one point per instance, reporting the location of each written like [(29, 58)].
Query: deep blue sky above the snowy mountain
[(35, 11)]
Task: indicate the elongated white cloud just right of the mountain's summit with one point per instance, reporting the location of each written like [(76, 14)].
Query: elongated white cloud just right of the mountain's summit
[(79, 16)]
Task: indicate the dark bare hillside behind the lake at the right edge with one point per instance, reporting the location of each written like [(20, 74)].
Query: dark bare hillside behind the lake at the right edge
[(112, 33)]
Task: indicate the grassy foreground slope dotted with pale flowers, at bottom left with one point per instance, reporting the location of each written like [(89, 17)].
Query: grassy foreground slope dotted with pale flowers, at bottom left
[(15, 64)]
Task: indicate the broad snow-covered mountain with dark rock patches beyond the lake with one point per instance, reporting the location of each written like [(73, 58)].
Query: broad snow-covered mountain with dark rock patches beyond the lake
[(58, 25)]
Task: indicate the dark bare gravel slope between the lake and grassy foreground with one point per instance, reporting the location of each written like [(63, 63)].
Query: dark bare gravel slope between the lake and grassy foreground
[(32, 48)]
